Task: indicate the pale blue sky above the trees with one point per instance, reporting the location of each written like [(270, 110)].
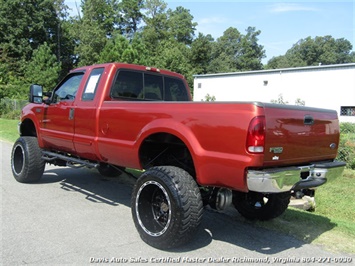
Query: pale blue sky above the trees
[(282, 23)]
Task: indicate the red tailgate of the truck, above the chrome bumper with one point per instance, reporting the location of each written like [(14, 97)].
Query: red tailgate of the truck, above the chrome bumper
[(298, 134)]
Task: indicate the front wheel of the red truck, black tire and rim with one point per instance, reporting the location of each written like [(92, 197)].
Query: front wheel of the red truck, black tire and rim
[(26, 160)]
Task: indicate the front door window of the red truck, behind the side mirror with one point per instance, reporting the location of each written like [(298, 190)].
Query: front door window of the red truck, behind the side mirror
[(68, 88)]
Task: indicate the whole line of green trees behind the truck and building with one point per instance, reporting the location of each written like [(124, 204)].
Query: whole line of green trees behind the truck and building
[(40, 42)]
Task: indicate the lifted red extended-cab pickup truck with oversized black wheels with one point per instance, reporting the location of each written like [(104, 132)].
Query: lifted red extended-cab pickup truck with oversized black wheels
[(114, 116)]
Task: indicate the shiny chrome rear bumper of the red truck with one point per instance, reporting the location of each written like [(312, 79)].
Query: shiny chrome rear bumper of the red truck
[(276, 180)]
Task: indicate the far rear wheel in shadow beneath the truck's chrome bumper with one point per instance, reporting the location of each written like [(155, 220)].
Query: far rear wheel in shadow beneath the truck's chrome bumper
[(259, 206)]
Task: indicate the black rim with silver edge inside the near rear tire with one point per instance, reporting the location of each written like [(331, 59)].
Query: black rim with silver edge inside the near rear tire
[(153, 208)]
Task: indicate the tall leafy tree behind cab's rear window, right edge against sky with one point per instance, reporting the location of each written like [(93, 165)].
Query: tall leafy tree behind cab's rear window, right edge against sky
[(167, 32)]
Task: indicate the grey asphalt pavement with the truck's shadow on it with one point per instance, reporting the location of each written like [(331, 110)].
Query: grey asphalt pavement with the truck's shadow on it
[(77, 217)]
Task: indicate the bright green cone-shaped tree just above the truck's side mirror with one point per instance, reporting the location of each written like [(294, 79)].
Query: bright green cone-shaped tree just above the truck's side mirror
[(44, 68)]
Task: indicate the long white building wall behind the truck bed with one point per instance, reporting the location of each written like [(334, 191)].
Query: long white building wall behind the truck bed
[(327, 87)]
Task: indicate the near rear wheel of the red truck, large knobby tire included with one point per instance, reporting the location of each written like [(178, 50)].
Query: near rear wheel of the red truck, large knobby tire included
[(166, 206)]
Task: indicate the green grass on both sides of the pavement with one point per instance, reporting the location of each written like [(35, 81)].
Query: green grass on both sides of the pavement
[(332, 225)]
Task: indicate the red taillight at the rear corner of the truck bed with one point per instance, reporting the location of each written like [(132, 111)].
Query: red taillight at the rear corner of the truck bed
[(256, 135)]
